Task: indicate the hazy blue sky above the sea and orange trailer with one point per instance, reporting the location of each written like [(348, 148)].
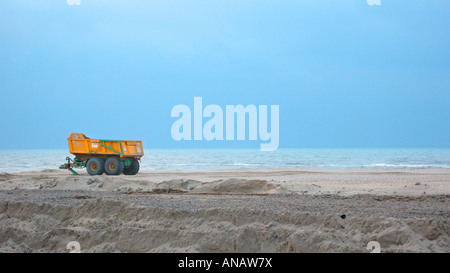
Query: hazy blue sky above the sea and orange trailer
[(344, 73)]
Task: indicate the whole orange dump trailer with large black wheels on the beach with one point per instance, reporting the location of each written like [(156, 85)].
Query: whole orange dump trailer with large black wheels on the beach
[(103, 155)]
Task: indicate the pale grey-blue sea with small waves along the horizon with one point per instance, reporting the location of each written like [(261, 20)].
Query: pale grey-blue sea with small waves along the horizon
[(13, 161)]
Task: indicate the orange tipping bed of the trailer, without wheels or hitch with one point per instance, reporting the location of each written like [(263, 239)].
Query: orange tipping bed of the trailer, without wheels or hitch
[(80, 145)]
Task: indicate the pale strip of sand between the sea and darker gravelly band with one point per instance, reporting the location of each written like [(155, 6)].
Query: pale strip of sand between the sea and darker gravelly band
[(415, 182)]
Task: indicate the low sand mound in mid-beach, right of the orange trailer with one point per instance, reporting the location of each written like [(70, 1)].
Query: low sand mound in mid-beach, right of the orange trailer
[(227, 186)]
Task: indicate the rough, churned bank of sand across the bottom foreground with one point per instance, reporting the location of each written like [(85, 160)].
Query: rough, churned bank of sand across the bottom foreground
[(109, 226)]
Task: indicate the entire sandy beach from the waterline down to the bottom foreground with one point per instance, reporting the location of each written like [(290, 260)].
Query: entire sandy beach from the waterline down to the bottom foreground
[(270, 210)]
